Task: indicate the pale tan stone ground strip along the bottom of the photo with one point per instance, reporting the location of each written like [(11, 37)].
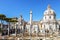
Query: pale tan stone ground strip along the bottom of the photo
[(33, 37)]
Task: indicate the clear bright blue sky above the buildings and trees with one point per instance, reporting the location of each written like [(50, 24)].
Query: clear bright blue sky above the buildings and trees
[(13, 8)]
